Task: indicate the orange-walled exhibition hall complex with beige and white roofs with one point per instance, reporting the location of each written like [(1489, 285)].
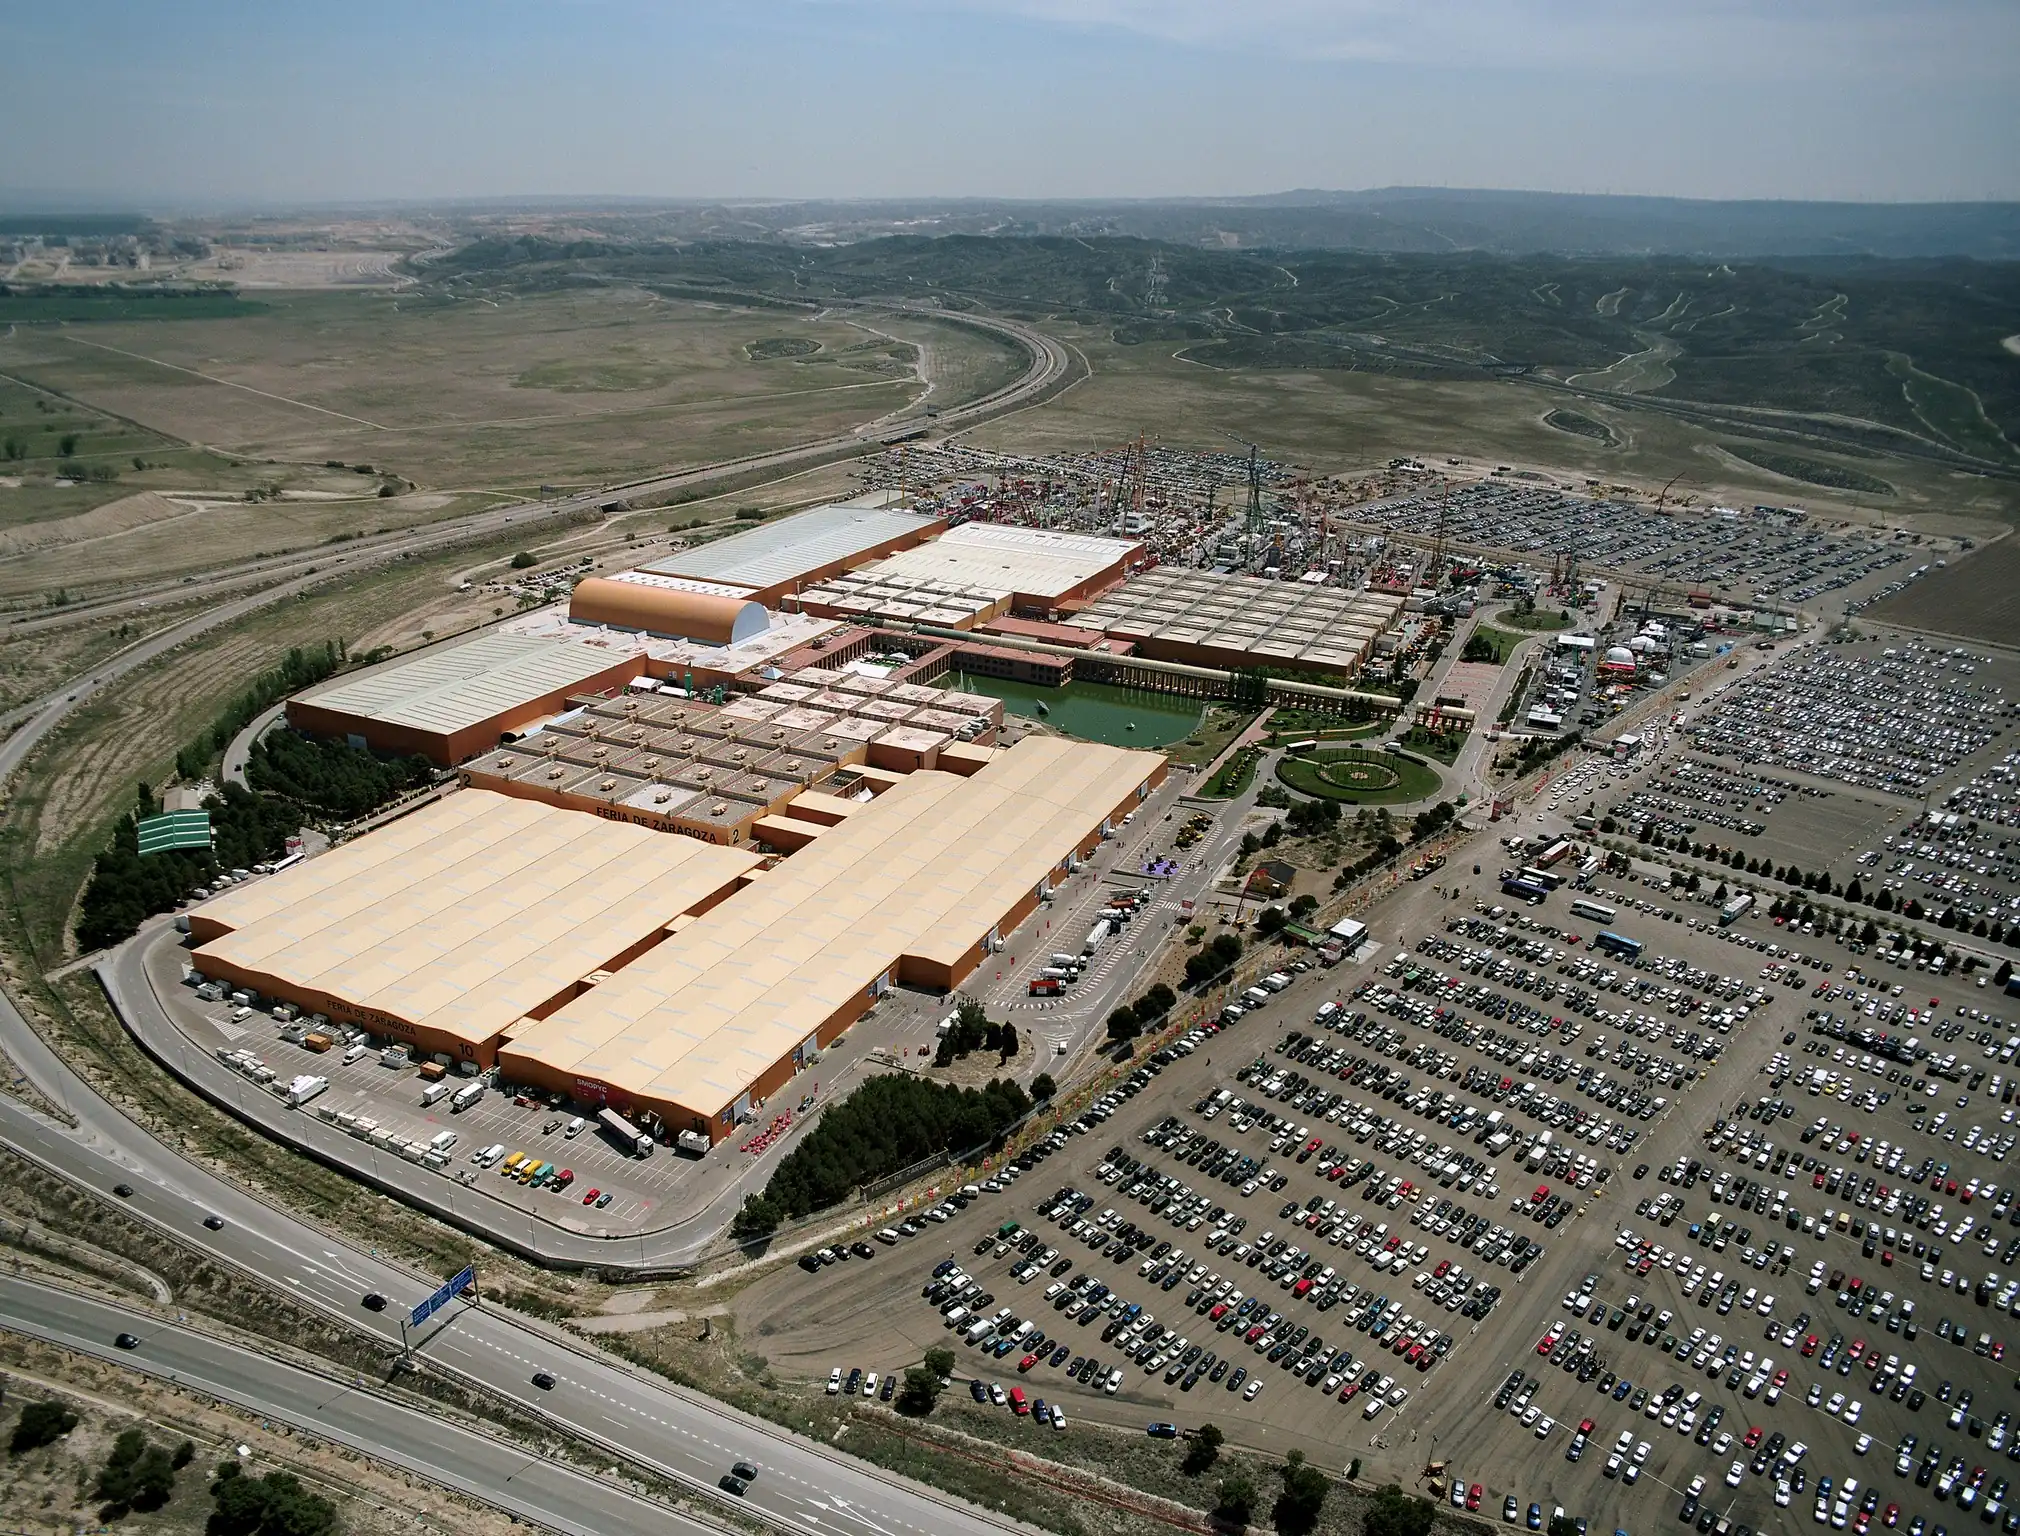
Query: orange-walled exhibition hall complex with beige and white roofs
[(706, 818)]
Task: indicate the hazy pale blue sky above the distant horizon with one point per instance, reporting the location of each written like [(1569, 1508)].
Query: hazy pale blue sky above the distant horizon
[(223, 102)]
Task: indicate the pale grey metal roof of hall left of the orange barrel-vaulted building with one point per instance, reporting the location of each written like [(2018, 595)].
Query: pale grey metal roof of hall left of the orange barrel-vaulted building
[(468, 684)]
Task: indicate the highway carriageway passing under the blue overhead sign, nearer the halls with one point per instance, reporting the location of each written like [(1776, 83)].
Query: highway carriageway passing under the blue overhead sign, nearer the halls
[(678, 1434)]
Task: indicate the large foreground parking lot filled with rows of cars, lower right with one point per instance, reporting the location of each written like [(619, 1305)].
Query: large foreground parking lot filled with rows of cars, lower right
[(1587, 1048)]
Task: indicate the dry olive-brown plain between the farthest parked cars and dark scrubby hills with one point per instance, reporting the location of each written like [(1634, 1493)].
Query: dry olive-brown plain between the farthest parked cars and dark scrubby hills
[(1340, 421)]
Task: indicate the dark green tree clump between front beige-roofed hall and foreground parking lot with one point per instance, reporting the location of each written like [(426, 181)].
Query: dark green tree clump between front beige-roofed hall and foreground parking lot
[(884, 1127)]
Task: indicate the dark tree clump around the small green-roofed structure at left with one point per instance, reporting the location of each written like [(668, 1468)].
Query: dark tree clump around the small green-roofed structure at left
[(126, 890)]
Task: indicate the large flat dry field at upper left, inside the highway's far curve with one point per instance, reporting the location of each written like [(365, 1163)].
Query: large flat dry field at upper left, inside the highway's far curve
[(569, 389)]
